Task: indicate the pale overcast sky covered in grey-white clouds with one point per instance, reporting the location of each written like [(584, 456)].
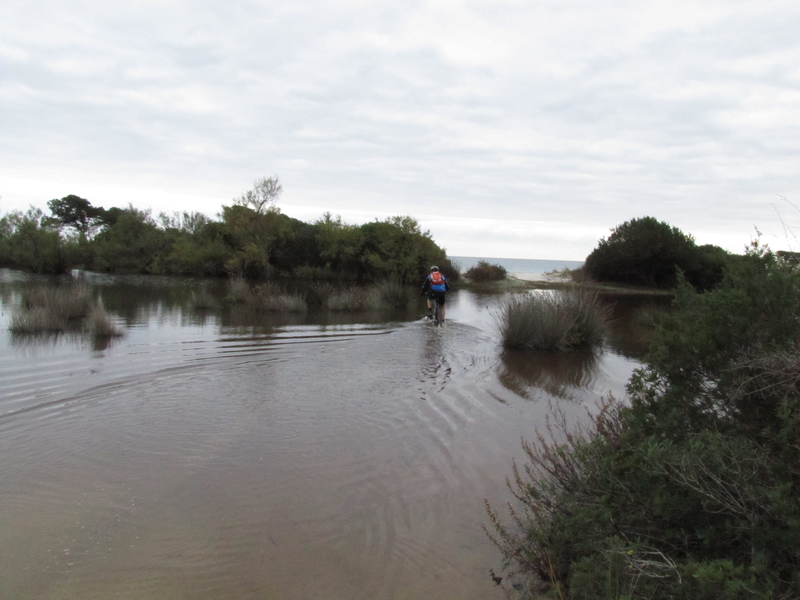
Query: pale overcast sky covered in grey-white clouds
[(519, 129)]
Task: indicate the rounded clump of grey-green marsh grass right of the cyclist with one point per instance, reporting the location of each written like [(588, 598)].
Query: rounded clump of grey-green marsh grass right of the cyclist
[(552, 320)]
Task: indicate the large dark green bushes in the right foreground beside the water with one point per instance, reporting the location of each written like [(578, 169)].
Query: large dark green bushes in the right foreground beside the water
[(691, 487)]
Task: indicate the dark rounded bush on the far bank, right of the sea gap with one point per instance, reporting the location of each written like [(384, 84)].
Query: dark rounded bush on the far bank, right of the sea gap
[(649, 252)]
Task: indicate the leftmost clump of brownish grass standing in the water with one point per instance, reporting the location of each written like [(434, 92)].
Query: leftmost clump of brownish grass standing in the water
[(61, 309)]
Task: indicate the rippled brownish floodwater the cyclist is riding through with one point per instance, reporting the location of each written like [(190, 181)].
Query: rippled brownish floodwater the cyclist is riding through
[(227, 454)]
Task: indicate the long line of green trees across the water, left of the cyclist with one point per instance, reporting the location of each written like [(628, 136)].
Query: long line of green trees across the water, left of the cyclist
[(251, 238)]
